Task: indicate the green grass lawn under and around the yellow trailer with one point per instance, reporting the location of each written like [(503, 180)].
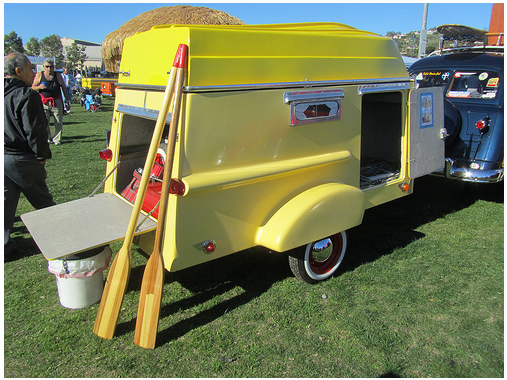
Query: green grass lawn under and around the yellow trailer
[(420, 295)]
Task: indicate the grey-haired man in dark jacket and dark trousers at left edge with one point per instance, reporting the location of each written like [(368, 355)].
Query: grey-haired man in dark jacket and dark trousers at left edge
[(26, 146)]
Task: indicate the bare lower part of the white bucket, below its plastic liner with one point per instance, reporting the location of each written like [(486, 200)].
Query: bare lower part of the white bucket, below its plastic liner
[(77, 293)]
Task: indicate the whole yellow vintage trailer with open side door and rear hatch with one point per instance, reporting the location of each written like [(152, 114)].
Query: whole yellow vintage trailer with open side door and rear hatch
[(287, 134)]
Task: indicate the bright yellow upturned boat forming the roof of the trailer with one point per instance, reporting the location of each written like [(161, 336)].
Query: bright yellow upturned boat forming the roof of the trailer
[(246, 54)]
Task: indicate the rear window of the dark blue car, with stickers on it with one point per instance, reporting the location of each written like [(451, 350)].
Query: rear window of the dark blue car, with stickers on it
[(478, 84)]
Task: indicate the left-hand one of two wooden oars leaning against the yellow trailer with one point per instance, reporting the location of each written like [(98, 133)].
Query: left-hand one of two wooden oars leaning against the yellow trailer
[(114, 289)]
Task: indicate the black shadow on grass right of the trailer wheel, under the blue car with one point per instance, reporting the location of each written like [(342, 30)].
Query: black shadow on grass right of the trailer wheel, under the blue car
[(393, 225)]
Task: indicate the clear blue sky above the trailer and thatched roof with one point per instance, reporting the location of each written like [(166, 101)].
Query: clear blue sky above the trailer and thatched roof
[(92, 21)]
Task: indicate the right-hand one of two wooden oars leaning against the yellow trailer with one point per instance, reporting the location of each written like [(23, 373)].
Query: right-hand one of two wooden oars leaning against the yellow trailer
[(153, 278)]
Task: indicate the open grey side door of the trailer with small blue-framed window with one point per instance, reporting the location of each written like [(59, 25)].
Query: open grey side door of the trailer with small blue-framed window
[(426, 131)]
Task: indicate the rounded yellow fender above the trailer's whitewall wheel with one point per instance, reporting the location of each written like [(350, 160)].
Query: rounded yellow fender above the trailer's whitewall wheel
[(316, 213)]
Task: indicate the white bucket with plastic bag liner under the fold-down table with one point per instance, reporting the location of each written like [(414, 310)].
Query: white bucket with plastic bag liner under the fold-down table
[(79, 278)]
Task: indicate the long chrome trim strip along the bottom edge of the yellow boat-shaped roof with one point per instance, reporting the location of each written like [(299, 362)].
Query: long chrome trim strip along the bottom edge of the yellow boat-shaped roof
[(267, 86)]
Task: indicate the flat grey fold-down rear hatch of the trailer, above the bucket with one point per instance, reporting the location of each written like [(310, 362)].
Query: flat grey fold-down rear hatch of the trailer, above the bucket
[(83, 224)]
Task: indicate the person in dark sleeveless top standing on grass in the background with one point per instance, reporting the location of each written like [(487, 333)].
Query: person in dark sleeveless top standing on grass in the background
[(50, 86)]
